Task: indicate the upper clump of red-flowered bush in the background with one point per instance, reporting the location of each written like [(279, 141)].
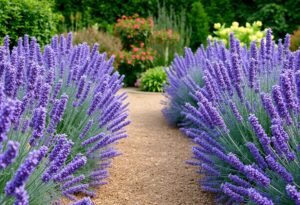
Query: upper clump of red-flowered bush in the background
[(133, 30)]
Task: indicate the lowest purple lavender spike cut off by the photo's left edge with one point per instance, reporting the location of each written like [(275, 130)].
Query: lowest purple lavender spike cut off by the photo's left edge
[(9, 155)]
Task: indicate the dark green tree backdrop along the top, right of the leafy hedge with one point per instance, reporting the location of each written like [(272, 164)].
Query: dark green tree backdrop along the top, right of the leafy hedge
[(281, 15)]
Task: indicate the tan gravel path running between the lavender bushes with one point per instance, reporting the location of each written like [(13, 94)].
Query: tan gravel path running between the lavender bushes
[(152, 169)]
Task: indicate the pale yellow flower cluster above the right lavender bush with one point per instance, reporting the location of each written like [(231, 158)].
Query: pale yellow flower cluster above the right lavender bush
[(246, 34)]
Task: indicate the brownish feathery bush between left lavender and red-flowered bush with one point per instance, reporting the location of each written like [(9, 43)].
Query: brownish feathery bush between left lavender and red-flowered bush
[(107, 43)]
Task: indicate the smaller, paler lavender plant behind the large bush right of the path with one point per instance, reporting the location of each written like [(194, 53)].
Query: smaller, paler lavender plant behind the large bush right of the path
[(184, 76)]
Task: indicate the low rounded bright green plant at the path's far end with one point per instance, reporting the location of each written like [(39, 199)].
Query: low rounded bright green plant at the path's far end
[(153, 80)]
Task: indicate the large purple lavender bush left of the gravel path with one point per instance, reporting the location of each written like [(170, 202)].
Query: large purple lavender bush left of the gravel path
[(61, 113)]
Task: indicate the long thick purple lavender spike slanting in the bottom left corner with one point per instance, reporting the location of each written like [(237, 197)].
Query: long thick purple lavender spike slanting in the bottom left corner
[(25, 170)]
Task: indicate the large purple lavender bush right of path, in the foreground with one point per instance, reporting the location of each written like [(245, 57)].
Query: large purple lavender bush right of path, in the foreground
[(246, 123)]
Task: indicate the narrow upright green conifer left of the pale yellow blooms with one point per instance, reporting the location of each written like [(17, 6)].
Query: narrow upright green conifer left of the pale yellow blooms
[(199, 21)]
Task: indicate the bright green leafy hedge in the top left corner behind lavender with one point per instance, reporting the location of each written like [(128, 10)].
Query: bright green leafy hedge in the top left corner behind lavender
[(20, 17)]
